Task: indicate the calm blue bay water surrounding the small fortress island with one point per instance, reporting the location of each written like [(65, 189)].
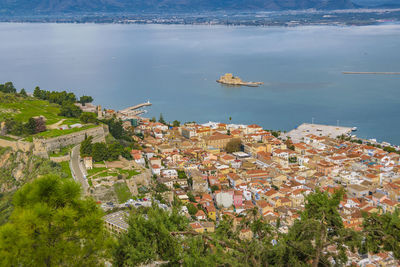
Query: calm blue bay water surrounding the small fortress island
[(175, 67)]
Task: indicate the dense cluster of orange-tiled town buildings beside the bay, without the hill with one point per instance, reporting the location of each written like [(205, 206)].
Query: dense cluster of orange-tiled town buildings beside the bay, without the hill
[(219, 170)]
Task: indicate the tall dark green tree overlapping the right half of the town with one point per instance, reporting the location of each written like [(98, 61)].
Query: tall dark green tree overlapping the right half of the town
[(320, 227)]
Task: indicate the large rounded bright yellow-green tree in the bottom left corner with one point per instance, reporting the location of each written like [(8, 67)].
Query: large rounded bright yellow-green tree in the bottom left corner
[(51, 225)]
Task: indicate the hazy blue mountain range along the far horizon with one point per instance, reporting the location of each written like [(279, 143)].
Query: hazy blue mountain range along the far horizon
[(134, 6)]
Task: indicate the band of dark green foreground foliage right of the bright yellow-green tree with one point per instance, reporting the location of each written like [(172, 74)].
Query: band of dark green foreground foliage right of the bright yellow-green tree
[(317, 239)]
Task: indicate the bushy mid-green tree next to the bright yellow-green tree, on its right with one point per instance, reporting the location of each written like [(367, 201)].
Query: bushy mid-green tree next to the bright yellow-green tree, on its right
[(149, 238)]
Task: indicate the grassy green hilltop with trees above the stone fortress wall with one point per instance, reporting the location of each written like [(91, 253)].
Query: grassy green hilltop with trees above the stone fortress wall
[(40, 115)]
